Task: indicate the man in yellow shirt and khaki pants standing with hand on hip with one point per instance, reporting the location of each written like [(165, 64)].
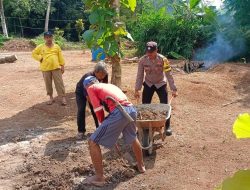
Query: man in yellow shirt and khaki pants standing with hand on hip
[(52, 66)]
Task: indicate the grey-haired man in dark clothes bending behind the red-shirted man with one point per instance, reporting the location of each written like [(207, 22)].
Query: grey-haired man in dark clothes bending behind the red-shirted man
[(101, 73)]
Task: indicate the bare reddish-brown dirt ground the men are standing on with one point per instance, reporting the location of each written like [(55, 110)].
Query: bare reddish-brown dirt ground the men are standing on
[(38, 149)]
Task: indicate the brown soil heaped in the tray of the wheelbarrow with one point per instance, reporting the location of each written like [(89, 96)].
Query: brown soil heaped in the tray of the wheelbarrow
[(152, 111)]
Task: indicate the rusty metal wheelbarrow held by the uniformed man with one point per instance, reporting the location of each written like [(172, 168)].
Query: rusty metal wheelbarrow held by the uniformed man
[(147, 127)]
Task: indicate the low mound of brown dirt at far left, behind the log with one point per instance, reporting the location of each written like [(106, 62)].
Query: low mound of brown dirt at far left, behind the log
[(18, 45)]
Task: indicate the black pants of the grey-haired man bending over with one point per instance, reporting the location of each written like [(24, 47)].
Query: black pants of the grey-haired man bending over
[(81, 105)]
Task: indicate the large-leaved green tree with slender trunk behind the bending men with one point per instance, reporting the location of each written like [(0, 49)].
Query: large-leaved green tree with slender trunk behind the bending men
[(106, 29)]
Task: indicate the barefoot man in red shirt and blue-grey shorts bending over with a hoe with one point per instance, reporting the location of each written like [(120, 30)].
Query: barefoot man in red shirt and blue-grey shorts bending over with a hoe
[(111, 126)]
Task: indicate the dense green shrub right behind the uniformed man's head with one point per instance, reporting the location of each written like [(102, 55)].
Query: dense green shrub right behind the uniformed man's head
[(172, 33)]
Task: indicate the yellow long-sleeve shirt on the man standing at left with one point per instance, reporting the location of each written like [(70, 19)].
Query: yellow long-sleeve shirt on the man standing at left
[(50, 58)]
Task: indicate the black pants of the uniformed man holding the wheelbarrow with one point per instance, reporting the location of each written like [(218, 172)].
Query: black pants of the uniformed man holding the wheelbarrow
[(162, 93)]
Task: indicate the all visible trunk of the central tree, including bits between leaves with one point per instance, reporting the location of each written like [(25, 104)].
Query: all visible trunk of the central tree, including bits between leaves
[(116, 64)]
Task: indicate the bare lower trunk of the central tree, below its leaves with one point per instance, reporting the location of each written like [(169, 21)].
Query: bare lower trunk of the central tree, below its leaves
[(116, 71)]
